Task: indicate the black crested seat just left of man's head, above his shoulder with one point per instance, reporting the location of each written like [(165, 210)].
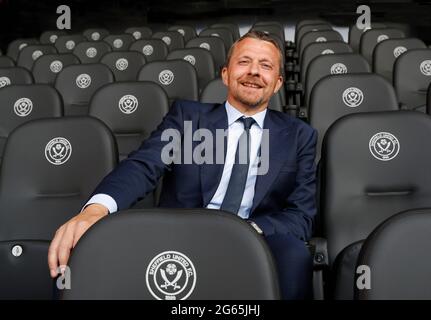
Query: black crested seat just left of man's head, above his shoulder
[(177, 77)]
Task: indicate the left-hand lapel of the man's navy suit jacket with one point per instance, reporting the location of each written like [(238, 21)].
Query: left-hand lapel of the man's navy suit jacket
[(211, 173)]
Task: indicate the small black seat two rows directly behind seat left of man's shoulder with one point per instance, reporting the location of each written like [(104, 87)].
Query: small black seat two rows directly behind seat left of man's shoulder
[(125, 65)]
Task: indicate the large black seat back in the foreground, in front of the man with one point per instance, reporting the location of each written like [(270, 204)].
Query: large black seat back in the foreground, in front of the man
[(175, 266)]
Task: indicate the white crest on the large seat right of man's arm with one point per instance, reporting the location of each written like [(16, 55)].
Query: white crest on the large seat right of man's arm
[(384, 146)]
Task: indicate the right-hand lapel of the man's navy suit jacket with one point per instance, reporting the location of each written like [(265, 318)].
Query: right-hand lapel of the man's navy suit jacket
[(278, 151)]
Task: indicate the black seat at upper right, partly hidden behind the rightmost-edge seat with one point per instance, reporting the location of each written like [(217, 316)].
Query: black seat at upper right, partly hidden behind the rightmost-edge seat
[(386, 52)]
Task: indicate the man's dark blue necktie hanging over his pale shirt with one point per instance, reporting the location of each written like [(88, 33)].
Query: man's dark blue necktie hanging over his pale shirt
[(235, 190)]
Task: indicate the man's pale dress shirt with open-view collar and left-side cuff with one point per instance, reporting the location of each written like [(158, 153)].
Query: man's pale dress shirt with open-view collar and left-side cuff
[(235, 129)]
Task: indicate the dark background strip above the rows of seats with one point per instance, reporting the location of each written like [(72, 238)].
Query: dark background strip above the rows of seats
[(28, 18)]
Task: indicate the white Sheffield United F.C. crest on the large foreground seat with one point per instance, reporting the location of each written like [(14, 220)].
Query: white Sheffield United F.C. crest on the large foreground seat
[(171, 275)]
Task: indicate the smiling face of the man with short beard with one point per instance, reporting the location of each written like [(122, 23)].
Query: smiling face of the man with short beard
[(252, 75)]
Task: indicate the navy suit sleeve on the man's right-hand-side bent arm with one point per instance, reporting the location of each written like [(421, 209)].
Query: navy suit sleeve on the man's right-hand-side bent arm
[(297, 217)]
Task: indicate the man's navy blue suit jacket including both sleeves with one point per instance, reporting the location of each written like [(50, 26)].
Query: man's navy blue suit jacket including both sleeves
[(284, 200)]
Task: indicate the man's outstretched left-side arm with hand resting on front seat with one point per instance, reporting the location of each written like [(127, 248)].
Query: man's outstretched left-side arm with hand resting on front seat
[(133, 178)]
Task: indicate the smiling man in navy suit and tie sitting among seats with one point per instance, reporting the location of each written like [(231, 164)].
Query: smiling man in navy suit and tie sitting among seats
[(280, 202)]
